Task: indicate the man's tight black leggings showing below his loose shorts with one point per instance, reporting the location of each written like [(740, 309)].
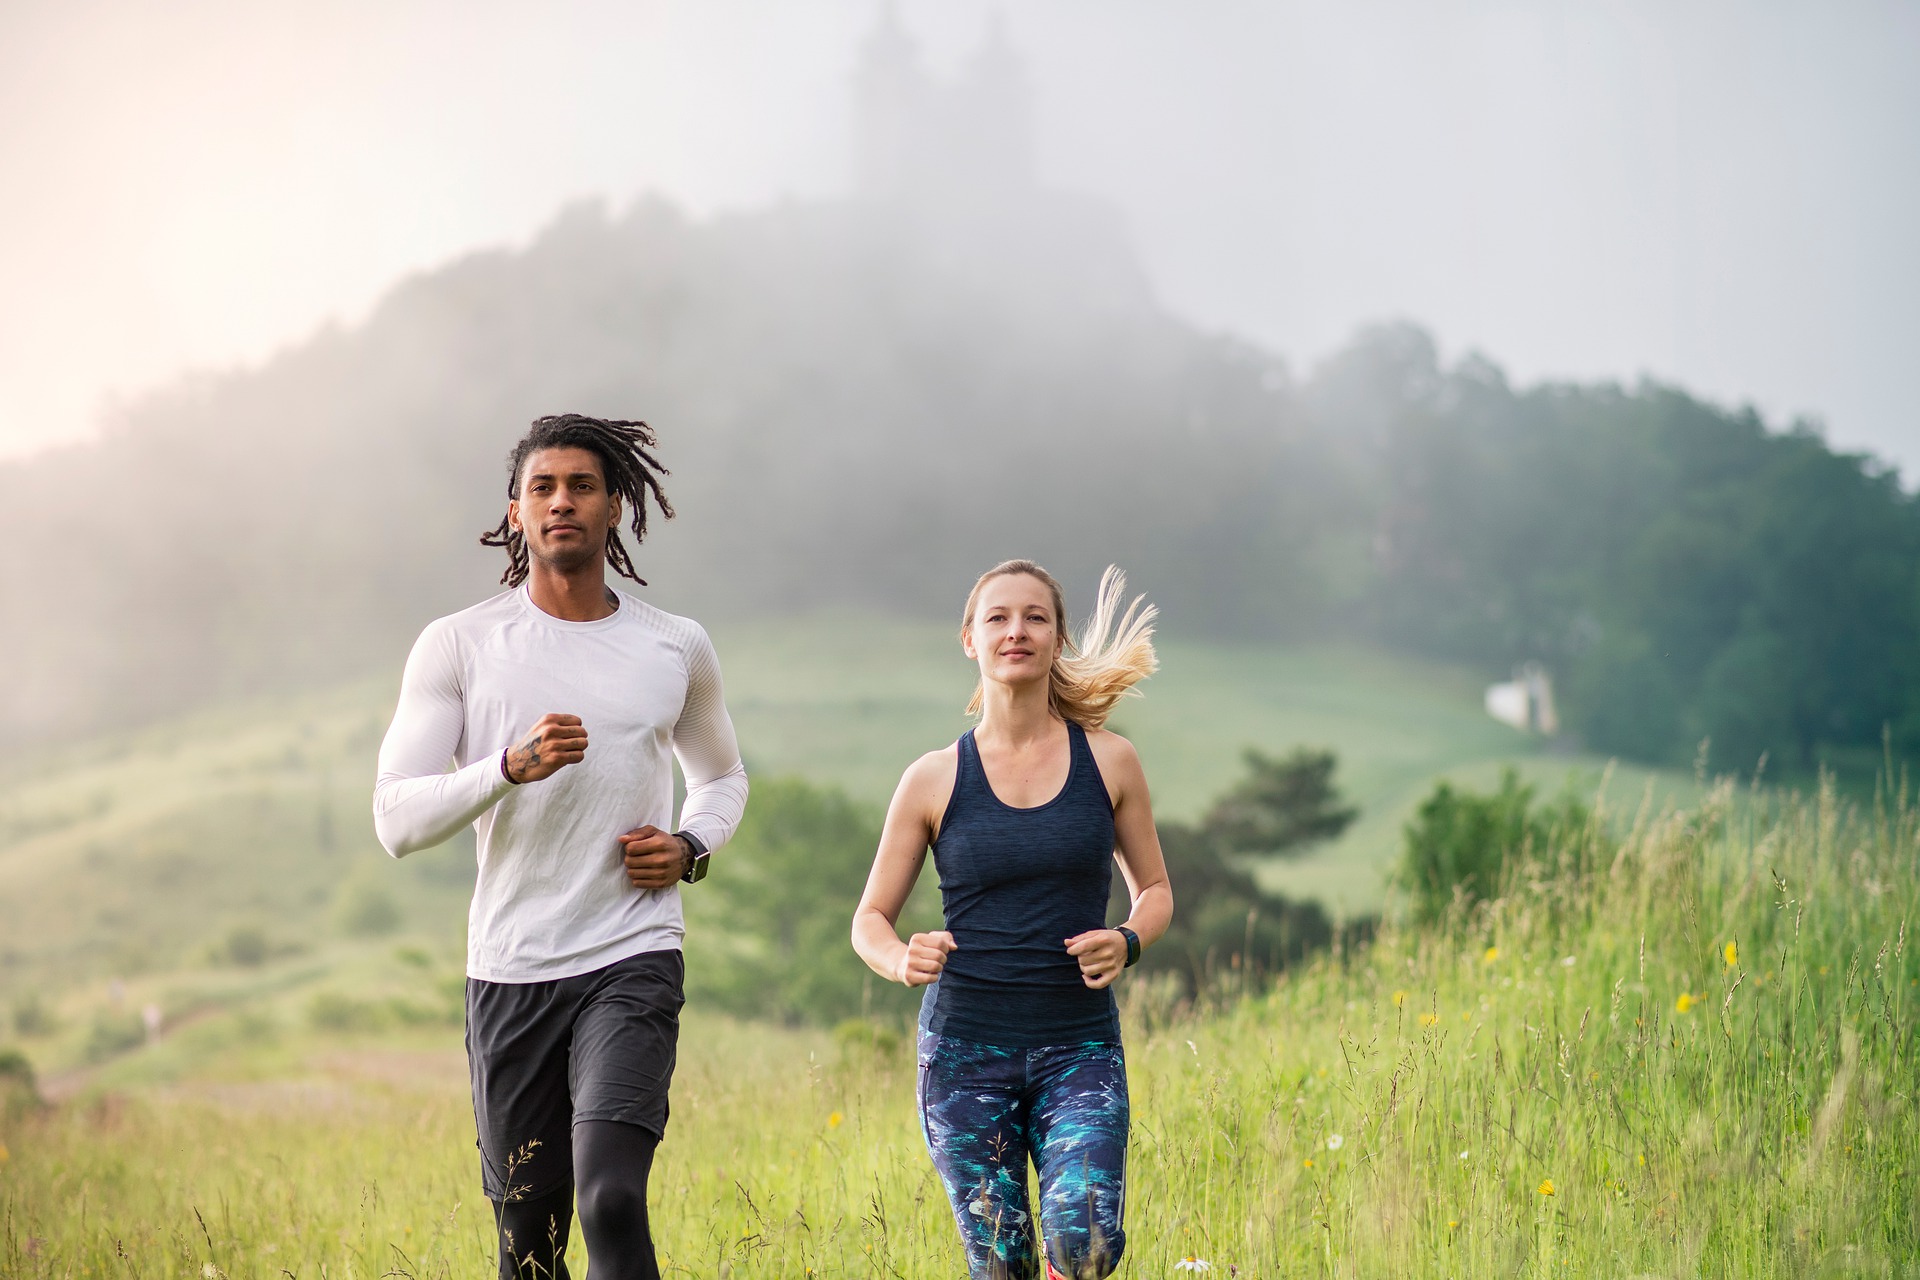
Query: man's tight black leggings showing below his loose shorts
[(612, 1166)]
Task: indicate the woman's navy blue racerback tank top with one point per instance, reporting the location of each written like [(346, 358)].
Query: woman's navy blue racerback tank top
[(1015, 888)]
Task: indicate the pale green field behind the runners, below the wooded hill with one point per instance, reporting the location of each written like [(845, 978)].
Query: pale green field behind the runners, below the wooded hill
[(145, 851)]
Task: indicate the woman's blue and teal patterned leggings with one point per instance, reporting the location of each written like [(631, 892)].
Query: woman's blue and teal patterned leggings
[(988, 1110)]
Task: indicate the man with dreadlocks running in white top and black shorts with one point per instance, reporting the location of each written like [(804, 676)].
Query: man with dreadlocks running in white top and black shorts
[(558, 703)]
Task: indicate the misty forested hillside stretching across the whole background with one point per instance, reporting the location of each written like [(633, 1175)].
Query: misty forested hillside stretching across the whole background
[(865, 414)]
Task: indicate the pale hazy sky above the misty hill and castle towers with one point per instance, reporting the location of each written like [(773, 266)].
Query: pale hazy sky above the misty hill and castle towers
[(1717, 193)]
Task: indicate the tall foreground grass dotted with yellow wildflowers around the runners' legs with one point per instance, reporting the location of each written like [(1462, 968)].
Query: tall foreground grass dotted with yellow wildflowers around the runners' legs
[(1694, 1060)]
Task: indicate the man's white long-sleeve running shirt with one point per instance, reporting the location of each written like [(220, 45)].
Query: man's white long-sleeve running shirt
[(552, 899)]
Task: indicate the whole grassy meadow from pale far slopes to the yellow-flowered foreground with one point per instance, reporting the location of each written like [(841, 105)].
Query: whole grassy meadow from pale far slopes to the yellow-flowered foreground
[(1691, 1060)]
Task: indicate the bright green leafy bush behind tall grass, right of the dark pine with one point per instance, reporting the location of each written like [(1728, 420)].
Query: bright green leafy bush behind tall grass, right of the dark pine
[(1460, 845)]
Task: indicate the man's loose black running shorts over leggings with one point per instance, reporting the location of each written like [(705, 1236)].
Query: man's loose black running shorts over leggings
[(544, 1056)]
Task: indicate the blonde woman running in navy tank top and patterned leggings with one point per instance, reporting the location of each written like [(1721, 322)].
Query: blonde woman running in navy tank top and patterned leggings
[(1019, 1033)]
